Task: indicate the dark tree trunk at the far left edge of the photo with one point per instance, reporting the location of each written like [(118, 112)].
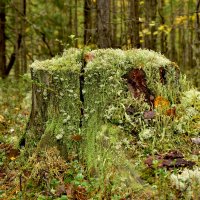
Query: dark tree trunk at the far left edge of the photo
[(2, 40)]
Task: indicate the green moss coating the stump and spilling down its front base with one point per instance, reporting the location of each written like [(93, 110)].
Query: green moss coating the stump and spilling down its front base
[(100, 116)]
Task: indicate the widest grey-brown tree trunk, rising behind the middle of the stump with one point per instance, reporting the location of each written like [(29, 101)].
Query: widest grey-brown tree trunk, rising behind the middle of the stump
[(103, 29)]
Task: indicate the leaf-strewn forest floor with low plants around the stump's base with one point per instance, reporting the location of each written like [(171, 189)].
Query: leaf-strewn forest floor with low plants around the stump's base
[(15, 173)]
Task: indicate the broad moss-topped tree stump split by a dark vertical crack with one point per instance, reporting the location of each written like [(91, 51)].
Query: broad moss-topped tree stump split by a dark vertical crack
[(75, 95)]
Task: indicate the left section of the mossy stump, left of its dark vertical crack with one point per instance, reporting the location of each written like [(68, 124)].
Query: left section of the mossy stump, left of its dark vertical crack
[(56, 105)]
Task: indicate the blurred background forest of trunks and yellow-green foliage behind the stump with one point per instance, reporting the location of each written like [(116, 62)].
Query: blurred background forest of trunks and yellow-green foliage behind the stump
[(32, 29)]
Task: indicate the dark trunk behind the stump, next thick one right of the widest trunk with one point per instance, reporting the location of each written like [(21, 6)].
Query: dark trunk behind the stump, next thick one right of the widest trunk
[(134, 28)]
